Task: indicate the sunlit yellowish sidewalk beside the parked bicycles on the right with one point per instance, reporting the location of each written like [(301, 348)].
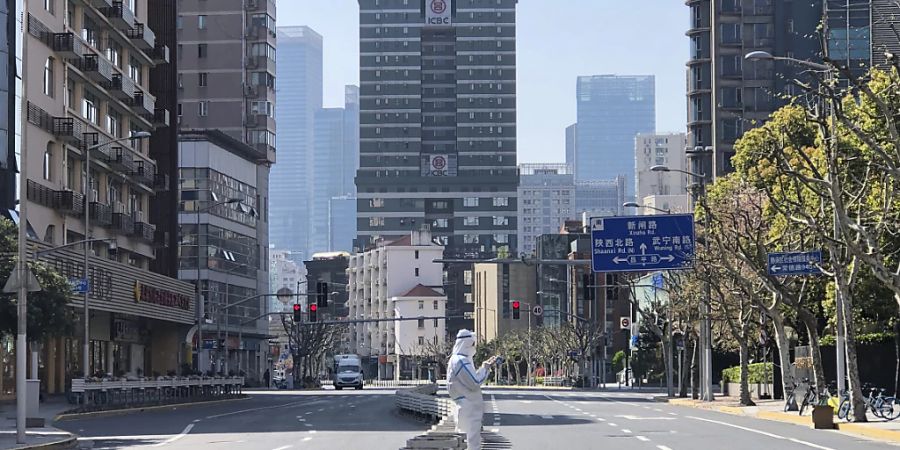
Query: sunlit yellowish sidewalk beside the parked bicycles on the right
[(875, 428)]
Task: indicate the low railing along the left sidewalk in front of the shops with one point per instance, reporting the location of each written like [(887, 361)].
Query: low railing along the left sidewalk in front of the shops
[(98, 394)]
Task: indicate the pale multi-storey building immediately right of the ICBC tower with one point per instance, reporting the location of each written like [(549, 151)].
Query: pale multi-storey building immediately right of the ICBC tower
[(546, 200)]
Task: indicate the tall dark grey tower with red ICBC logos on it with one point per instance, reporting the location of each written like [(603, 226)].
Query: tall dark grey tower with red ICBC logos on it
[(438, 127)]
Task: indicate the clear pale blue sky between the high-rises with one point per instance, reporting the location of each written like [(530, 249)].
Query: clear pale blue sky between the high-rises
[(558, 40)]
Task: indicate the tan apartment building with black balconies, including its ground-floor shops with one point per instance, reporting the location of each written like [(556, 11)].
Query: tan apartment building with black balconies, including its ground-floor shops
[(94, 82)]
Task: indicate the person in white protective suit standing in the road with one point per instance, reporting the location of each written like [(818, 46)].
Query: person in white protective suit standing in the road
[(464, 385)]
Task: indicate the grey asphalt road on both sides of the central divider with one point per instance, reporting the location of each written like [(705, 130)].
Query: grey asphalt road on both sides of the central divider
[(367, 419)]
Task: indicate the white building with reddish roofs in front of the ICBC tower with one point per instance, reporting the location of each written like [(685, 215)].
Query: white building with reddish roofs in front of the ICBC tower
[(387, 281)]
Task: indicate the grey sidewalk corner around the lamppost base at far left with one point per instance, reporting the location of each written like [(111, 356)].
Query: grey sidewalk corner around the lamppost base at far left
[(46, 437)]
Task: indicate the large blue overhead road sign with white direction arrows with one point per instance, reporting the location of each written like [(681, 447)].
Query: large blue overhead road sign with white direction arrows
[(642, 243)]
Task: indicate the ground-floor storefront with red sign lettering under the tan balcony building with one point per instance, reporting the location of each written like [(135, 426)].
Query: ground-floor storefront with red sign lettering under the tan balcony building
[(139, 321)]
